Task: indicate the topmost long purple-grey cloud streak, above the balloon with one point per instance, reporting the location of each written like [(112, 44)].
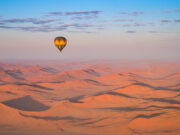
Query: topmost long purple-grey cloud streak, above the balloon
[(91, 12)]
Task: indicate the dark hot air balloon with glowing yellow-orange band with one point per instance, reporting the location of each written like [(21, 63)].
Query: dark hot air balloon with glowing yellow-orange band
[(60, 42)]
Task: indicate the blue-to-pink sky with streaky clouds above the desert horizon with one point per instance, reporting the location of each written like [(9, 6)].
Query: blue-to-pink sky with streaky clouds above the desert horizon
[(94, 29)]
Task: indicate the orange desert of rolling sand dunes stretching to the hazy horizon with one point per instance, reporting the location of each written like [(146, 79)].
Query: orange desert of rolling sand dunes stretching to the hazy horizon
[(89, 98)]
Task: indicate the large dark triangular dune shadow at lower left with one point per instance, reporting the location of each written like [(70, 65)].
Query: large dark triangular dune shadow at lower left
[(26, 103)]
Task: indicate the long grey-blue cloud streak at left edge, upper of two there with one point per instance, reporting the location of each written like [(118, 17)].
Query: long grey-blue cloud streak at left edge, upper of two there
[(29, 20)]
